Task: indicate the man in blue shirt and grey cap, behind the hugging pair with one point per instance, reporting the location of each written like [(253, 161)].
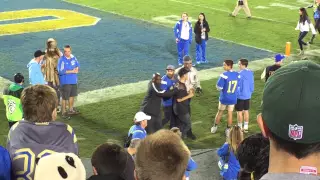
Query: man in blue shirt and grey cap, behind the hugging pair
[(167, 84)]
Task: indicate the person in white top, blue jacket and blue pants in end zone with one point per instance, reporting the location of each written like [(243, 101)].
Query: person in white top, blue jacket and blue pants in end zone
[(183, 33)]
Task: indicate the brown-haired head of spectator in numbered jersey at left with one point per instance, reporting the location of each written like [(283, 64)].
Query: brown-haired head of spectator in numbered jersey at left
[(39, 103)]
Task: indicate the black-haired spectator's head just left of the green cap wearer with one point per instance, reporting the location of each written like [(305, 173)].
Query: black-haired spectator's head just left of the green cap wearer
[(248, 155)]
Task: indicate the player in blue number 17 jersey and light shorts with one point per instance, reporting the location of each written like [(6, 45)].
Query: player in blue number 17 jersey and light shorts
[(228, 87)]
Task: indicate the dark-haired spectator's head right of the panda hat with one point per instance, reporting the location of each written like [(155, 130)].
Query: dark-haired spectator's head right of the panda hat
[(111, 159)]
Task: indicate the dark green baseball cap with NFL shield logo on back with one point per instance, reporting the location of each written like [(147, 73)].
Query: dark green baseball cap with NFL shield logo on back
[(291, 102)]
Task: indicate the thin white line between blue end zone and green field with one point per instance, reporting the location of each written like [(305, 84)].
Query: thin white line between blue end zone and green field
[(164, 25)]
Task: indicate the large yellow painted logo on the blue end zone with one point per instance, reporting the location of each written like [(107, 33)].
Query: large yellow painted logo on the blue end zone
[(51, 19)]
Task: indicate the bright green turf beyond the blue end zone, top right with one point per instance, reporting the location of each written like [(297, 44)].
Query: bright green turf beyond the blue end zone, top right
[(255, 32)]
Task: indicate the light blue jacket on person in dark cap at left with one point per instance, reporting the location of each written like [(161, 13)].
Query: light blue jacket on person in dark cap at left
[(35, 73)]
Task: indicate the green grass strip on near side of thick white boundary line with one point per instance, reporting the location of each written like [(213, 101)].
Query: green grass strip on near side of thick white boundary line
[(110, 120)]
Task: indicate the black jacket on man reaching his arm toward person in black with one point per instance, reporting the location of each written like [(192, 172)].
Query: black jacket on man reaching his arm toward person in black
[(151, 104)]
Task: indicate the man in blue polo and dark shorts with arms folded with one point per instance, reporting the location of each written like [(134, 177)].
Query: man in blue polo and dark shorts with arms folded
[(68, 68)]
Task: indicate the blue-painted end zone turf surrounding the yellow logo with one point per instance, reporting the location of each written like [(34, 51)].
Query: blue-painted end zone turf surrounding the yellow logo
[(116, 51)]
